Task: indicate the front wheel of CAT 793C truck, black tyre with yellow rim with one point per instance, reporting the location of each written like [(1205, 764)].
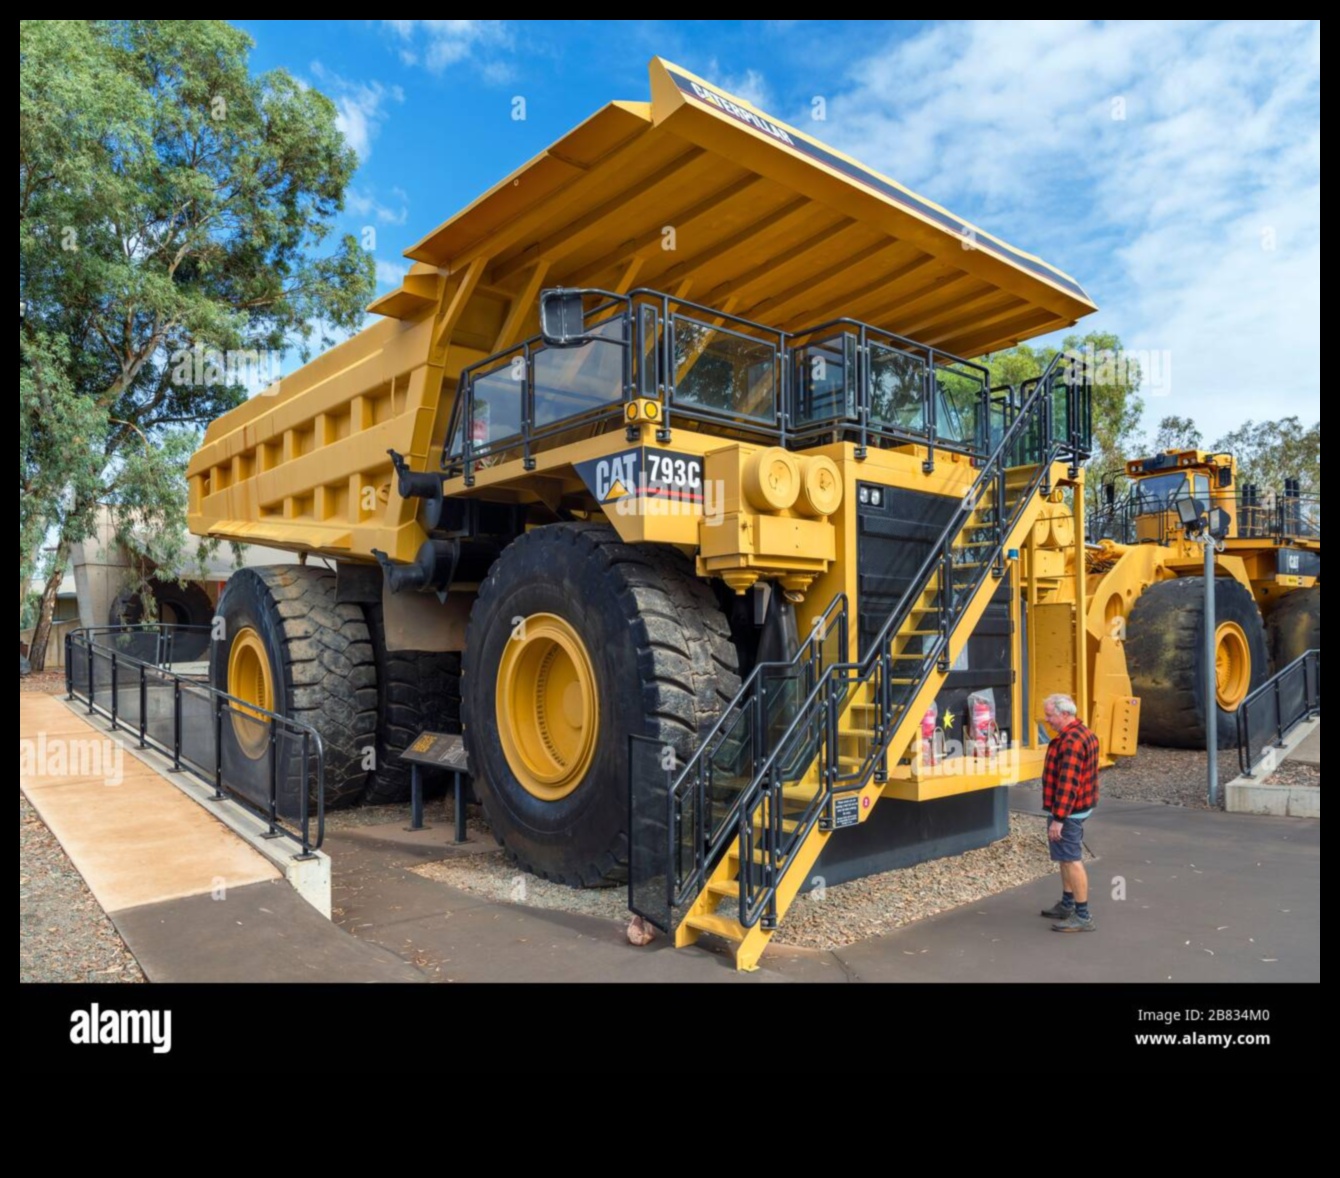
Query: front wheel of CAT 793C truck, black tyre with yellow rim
[(577, 643)]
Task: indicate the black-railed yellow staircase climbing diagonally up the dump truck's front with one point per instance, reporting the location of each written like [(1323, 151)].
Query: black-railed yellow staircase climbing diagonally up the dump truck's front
[(677, 845)]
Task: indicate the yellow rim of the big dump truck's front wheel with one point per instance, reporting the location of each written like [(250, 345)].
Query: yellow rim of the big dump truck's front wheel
[(547, 707)]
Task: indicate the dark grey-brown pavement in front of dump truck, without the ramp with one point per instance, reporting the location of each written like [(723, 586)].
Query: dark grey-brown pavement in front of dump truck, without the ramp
[(1179, 896)]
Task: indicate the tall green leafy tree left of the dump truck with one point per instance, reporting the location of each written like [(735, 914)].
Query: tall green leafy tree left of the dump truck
[(172, 207)]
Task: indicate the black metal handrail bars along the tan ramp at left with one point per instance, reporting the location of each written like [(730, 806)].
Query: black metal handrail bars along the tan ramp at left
[(306, 771)]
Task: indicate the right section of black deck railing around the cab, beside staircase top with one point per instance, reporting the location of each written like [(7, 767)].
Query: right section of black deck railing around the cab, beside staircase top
[(854, 383)]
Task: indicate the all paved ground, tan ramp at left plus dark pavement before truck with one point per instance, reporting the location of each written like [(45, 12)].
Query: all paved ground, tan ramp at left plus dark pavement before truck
[(1180, 895)]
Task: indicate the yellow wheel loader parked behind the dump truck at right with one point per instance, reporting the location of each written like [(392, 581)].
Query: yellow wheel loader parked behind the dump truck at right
[(1148, 588)]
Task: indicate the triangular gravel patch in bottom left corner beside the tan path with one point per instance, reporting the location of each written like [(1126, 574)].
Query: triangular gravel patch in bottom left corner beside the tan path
[(64, 935)]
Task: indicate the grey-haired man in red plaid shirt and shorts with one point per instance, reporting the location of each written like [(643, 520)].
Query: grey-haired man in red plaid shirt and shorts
[(1070, 794)]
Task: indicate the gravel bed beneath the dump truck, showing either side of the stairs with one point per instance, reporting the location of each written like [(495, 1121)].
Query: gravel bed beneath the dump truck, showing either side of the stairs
[(829, 920)]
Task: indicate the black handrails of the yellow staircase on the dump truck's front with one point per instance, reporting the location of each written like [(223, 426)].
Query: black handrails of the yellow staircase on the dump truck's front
[(759, 882)]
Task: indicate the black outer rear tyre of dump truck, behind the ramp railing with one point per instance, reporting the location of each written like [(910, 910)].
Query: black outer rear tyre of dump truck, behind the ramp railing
[(321, 663)]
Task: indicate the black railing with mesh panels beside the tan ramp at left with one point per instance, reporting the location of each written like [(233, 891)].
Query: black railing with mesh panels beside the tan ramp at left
[(274, 767)]
